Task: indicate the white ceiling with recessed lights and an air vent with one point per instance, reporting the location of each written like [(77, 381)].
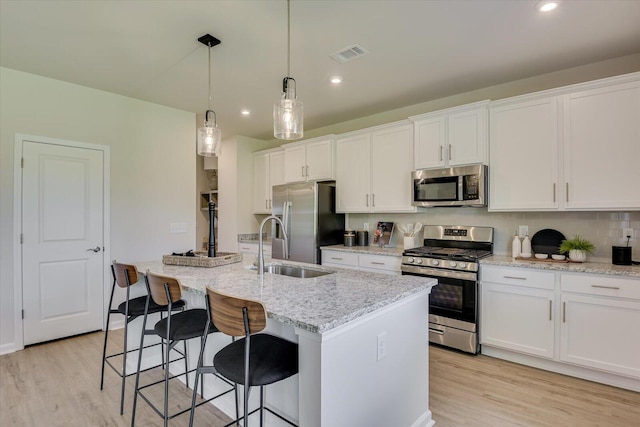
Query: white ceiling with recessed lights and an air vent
[(419, 50)]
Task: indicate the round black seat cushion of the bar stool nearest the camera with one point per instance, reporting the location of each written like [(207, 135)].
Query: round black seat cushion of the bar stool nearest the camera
[(271, 359)]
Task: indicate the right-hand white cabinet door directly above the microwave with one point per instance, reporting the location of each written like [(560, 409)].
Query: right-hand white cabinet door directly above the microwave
[(467, 137)]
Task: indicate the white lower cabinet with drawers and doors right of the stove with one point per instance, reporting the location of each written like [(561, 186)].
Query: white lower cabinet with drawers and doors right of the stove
[(579, 323)]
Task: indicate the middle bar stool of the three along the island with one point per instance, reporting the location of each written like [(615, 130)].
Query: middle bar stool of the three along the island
[(166, 291)]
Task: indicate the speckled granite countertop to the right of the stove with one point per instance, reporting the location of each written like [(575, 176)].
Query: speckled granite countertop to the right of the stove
[(573, 267)]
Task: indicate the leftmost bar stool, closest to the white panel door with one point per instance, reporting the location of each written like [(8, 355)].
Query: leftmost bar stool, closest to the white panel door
[(126, 275)]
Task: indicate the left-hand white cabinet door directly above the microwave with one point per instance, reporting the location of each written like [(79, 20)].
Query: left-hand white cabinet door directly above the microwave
[(430, 140)]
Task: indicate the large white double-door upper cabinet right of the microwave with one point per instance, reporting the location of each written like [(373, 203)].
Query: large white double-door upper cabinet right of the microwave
[(573, 148)]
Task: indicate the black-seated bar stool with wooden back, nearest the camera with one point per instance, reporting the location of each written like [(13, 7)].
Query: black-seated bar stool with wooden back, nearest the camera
[(256, 359)]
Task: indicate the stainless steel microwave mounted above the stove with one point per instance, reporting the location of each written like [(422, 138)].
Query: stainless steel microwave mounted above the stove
[(455, 186)]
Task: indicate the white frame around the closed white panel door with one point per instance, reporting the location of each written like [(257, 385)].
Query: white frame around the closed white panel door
[(17, 223)]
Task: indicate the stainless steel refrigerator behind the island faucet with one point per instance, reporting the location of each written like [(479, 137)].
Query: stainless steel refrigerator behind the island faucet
[(308, 211)]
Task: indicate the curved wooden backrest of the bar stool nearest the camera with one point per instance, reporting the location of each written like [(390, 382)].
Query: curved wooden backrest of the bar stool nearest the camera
[(227, 314)]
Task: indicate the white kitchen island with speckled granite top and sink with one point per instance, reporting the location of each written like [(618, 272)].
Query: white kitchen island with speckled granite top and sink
[(363, 342)]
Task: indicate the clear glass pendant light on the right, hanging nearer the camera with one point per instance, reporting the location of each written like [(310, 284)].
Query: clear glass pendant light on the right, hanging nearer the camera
[(287, 112)]
